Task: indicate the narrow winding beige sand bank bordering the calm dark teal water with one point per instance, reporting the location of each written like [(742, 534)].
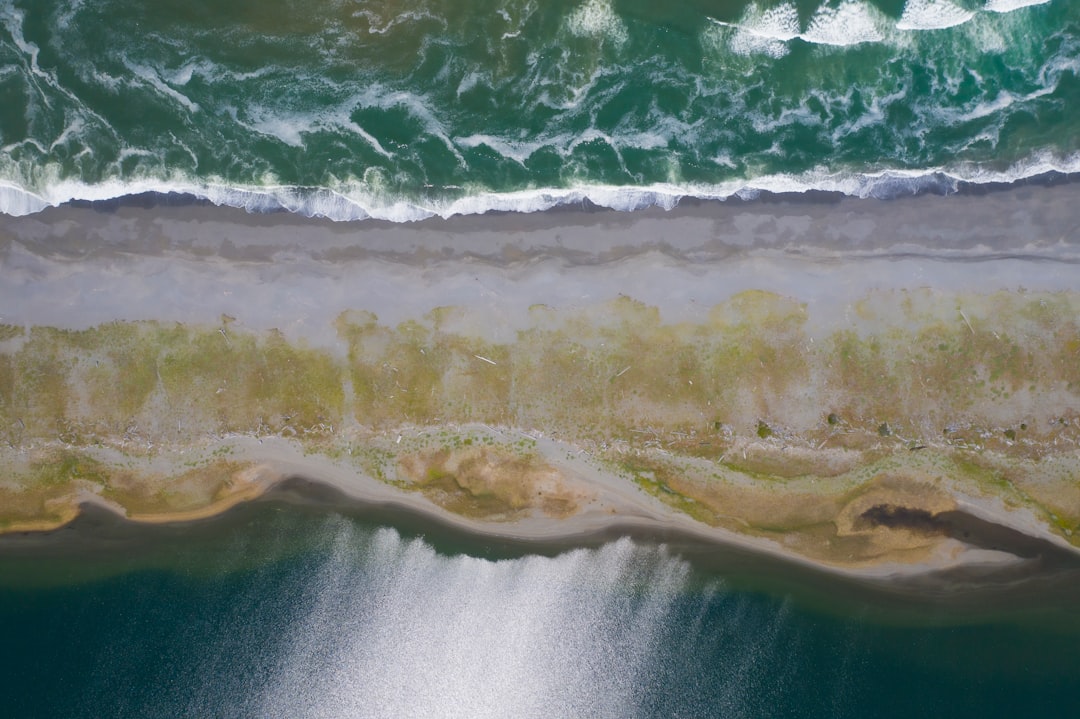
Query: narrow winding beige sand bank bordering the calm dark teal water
[(278, 471)]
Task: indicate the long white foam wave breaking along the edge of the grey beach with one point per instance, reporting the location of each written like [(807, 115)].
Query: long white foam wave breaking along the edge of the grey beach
[(327, 204)]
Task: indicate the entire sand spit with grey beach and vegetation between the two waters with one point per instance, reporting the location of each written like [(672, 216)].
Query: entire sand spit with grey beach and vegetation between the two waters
[(871, 388)]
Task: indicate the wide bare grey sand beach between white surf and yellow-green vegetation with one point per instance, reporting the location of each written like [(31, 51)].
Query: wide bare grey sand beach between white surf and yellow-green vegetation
[(79, 267)]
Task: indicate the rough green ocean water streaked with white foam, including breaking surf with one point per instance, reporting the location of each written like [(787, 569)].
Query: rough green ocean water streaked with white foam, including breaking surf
[(402, 111)]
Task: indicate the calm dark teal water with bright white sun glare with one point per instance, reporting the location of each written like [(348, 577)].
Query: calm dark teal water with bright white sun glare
[(294, 614)]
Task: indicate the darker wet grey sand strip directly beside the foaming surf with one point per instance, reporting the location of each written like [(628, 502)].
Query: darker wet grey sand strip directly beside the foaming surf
[(1016, 221)]
